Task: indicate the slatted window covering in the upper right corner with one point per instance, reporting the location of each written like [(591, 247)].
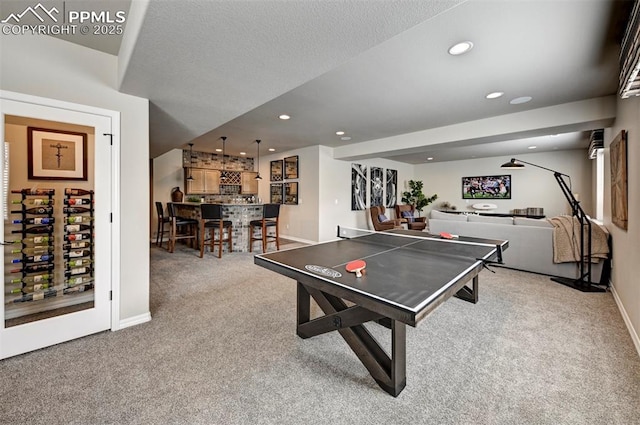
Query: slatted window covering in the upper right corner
[(629, 84)]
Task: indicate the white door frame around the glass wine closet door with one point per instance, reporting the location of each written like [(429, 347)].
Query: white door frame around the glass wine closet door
[(114, 116)]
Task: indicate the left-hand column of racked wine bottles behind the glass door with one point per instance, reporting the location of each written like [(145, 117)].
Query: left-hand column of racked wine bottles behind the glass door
[(36, 256)]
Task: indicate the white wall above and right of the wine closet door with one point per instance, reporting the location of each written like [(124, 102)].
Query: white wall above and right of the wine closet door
[(48, 67)]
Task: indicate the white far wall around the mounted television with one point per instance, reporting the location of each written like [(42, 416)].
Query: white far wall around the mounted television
[(531, 186)]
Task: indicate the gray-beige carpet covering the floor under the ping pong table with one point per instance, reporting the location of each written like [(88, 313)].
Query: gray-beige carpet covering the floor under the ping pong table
[(222, 349)]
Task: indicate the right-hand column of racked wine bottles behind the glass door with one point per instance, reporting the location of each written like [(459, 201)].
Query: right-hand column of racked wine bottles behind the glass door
[(78, 244)]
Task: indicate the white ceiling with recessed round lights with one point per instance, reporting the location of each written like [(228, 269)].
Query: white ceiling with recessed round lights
[(373, 69)]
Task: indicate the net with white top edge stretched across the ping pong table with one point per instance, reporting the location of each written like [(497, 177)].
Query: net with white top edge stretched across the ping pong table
[(391, 240)]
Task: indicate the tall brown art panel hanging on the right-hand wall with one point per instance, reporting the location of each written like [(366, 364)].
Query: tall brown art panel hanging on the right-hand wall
[(619, 190)]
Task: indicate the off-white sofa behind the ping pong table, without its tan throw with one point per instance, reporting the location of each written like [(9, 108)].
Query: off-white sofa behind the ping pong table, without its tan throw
[(530, 241)]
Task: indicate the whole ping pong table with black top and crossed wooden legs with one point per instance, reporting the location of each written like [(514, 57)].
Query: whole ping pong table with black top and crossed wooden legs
[(408, 275)]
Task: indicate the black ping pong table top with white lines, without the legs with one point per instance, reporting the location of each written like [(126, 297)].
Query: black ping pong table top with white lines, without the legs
[(408, 272)]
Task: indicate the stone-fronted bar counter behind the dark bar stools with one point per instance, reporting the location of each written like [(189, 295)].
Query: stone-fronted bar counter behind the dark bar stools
[(239, 214)]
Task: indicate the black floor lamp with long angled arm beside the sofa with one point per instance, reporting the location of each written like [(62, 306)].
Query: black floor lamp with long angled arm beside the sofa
[(583, 283)]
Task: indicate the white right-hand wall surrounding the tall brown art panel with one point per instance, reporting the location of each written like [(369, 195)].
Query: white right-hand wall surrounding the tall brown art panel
[(626, 244)]
